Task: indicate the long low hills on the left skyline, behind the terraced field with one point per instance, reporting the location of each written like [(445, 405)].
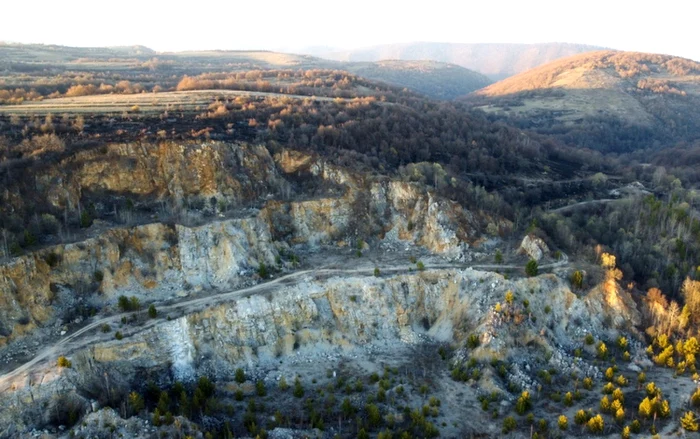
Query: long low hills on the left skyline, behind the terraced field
[(49, 69)]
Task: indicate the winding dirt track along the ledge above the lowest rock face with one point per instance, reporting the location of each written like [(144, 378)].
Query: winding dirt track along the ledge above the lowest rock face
[(75, 341)]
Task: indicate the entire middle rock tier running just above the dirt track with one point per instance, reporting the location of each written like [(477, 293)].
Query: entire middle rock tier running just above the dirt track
[(157, 261)]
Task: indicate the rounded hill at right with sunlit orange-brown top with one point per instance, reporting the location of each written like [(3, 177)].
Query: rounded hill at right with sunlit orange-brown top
[(606, 100)]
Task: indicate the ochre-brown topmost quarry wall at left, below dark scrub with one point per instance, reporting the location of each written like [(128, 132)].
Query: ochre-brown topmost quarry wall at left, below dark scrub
[(163, 171)]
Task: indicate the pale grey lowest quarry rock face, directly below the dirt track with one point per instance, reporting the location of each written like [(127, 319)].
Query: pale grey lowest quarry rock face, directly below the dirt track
[(344, 314)]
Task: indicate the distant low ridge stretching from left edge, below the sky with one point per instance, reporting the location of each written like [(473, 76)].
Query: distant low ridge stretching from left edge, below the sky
[(434, 79)]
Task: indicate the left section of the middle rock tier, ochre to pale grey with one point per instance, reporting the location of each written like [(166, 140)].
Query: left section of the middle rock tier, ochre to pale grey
[(152, 262)]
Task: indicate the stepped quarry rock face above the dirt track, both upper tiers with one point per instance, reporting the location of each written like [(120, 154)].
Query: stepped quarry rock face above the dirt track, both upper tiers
[(159, 261)]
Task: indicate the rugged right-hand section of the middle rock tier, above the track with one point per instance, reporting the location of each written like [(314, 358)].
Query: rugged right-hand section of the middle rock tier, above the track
[(391, 210)]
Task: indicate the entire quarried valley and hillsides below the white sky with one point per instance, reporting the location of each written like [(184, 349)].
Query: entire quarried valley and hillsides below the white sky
[(265, 245)]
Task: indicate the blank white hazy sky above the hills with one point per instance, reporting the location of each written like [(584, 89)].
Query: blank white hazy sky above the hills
[(664, 27)]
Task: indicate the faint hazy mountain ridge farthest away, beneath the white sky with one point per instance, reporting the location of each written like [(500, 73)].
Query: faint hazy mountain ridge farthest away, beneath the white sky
[(497, 61)]
